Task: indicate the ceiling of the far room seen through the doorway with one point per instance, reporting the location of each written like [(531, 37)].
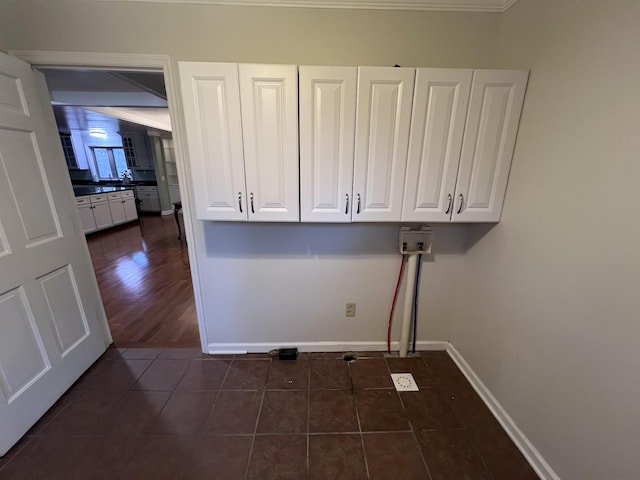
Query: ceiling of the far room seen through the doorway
[(112, 100)]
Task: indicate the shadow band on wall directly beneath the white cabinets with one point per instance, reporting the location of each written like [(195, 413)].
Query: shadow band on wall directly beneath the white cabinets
[(261, 240)]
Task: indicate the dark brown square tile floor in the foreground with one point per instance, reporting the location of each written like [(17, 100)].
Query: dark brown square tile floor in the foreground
[(177, 414)]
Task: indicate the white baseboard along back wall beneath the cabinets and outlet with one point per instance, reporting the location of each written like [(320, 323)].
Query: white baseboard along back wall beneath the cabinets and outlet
[(243, 348)]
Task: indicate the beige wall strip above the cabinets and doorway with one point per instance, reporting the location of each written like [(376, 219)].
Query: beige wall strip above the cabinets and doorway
[(253, 34)]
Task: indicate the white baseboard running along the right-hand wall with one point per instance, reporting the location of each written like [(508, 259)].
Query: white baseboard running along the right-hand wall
[(533, 456)]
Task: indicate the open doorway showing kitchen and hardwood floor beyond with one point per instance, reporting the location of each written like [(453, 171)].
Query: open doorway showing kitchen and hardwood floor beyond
[(115, 129)]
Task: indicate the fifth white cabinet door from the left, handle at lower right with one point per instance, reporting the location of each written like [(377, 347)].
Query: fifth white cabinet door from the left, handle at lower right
[(438, 117)]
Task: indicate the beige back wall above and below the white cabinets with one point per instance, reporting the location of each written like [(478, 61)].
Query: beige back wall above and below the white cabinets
[(286, 283)]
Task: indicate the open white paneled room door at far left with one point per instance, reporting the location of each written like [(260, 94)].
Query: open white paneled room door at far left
[(52, 323)]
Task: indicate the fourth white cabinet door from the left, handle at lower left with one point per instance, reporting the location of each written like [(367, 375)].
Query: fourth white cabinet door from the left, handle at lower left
[(383, 117)]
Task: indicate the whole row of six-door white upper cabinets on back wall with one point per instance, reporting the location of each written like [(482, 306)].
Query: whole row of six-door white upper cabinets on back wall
[(376, 144)]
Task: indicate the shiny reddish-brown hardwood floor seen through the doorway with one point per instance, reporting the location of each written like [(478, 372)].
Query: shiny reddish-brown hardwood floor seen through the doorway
[(145, 284)]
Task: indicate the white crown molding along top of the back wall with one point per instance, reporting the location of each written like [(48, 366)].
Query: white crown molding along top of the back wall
[(498, 6)]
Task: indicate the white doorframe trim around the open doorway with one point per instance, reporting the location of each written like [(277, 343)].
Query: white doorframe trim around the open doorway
[(157, 62)]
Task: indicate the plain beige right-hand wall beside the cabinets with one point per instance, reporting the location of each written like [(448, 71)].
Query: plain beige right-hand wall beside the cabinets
[(550, 312)]
